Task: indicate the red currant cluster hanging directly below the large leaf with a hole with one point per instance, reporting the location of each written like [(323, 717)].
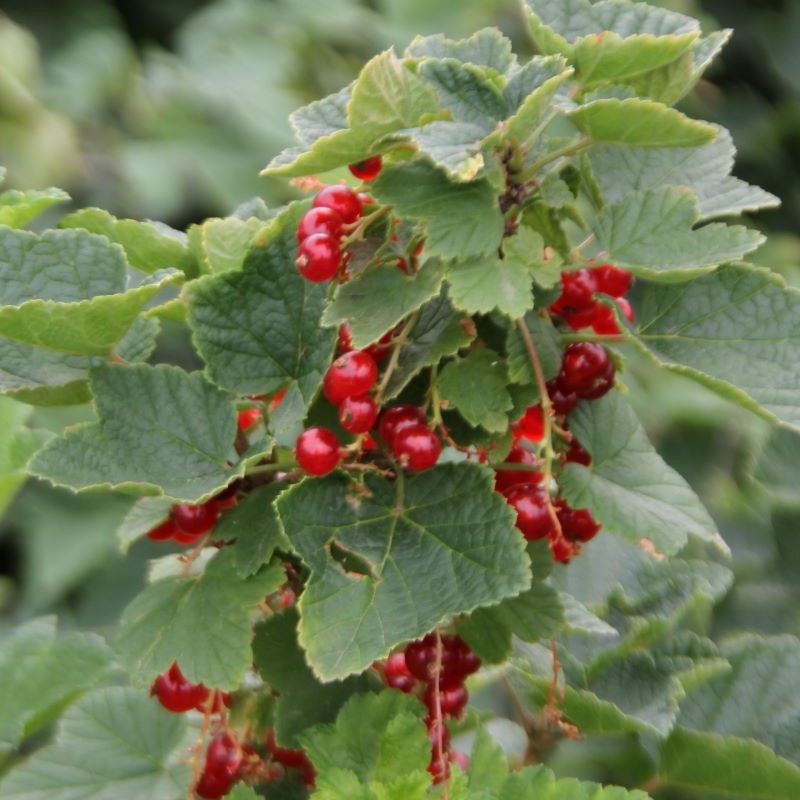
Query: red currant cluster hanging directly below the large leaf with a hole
[(435, 668)]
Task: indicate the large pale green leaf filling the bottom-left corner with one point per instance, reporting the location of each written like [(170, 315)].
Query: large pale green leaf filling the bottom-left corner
[(114, 744)]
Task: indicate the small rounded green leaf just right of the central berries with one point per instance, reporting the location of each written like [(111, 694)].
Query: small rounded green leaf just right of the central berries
[(476, 387)]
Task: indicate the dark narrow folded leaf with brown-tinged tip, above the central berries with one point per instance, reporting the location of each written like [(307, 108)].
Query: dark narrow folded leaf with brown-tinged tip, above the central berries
[(438, 332)]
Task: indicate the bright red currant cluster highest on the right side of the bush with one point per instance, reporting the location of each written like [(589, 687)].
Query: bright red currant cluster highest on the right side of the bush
[(577, 305)]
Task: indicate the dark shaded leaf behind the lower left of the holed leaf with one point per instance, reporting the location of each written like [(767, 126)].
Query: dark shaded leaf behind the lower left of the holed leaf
[(302, 700)]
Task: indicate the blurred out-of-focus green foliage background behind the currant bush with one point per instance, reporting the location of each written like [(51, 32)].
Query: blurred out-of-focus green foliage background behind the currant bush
[(169, 110)]
